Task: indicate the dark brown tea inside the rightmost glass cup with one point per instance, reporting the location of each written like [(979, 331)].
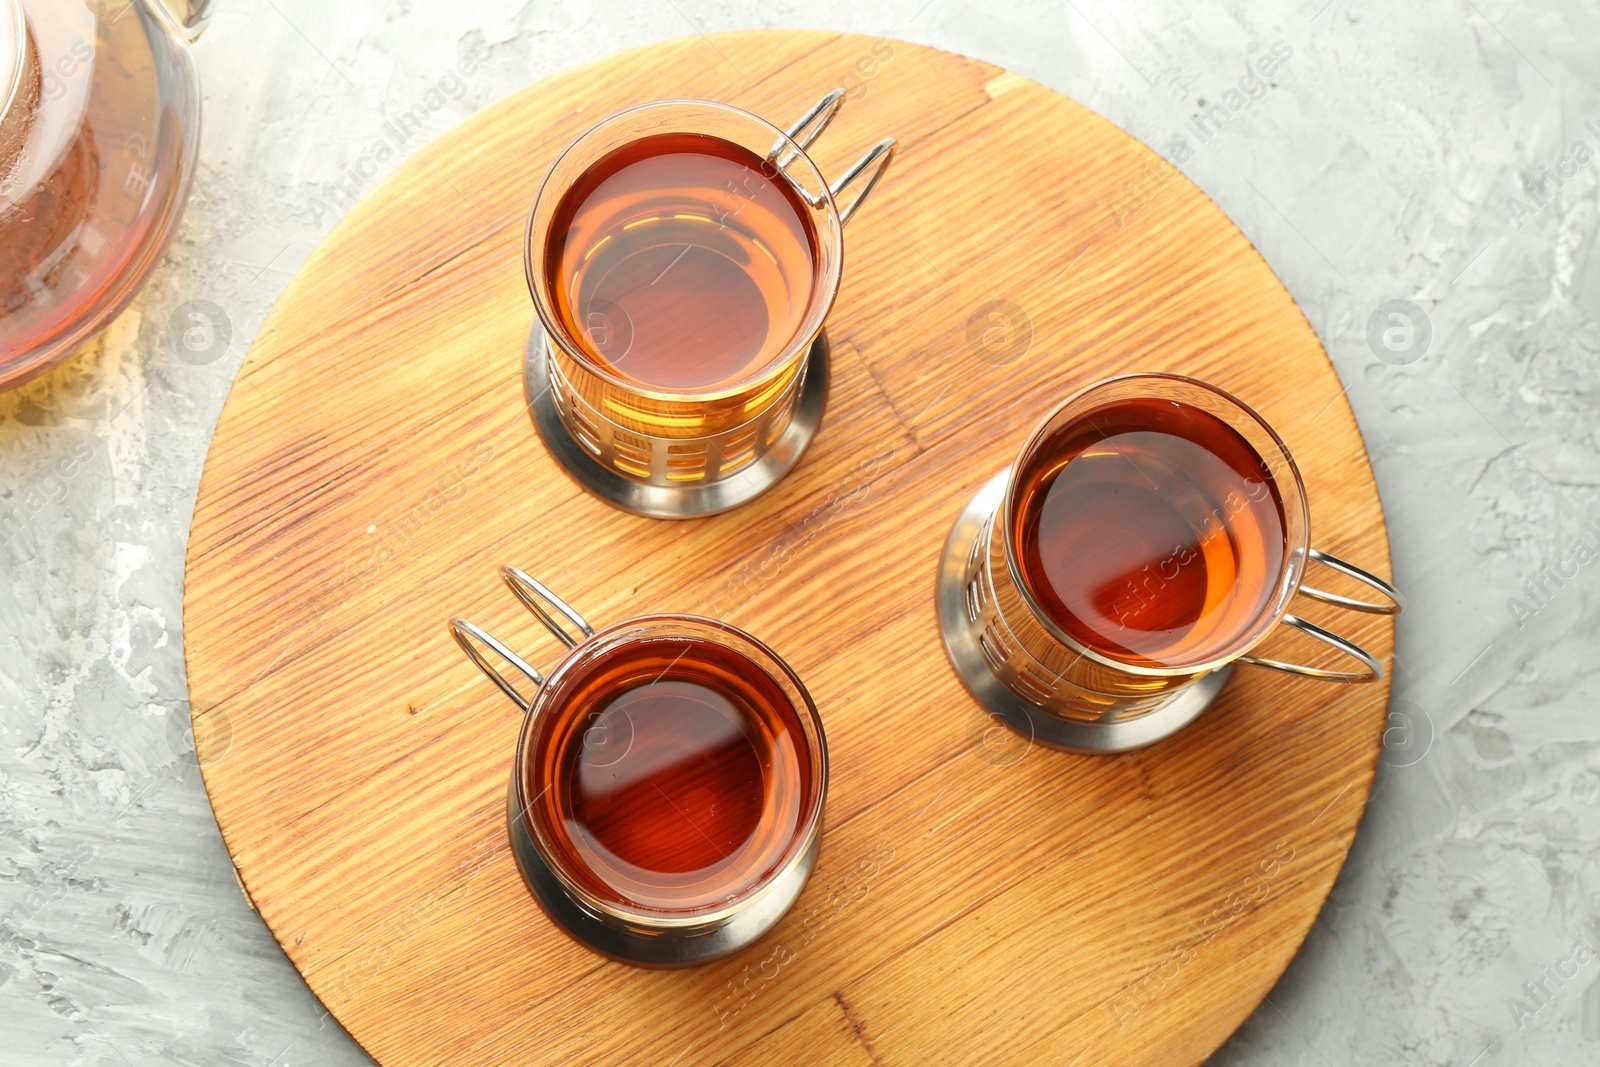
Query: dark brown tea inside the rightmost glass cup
[(1151, 532)]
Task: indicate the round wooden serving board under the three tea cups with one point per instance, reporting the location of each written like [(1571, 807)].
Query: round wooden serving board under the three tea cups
[(375, 463)]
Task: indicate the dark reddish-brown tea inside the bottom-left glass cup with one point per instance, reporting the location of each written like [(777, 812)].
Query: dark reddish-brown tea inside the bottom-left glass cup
[(681, 775)]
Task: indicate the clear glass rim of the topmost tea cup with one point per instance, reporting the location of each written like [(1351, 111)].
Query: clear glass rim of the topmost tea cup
[(822, 284)]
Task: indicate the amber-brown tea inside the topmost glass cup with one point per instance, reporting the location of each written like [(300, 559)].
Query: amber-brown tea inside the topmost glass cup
[(687, 262)]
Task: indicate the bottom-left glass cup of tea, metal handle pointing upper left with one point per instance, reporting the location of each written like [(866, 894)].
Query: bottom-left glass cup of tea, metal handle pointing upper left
[(666, 799)]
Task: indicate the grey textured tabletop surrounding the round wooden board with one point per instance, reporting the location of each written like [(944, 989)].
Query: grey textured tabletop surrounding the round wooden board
[(1444, 156)]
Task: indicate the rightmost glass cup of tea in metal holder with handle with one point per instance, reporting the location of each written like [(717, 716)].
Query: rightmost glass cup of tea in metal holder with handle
[(1150, 535)]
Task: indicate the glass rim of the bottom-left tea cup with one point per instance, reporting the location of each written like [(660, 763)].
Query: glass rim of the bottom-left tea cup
[(815, 751)]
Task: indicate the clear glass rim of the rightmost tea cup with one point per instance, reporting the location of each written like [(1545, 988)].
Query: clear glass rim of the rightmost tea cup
[(1287, 581)]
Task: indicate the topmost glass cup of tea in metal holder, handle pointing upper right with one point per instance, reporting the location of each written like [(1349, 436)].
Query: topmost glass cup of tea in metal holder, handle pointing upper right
[(682, 258)]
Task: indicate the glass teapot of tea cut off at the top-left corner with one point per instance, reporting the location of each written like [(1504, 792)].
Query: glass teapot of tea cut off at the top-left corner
[(100, 121)]
